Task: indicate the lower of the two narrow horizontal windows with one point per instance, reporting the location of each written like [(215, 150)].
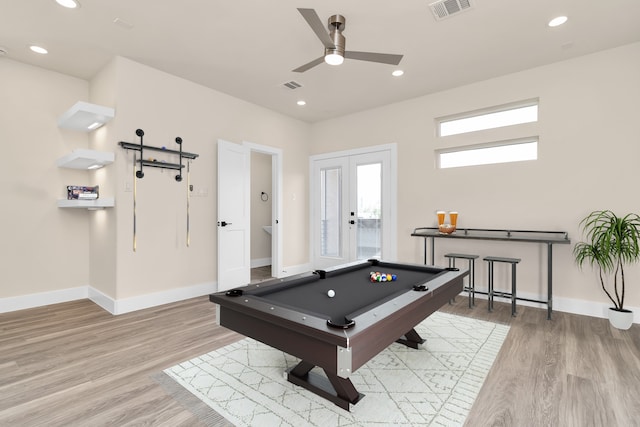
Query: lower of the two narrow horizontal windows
[(509, 151)]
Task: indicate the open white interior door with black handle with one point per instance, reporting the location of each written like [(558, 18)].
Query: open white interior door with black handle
[(234, 220)]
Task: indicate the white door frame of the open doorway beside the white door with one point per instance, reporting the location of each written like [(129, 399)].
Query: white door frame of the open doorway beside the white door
[(276, 205)]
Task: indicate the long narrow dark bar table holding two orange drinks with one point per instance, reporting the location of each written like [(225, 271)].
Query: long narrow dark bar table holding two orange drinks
[(548, 238)]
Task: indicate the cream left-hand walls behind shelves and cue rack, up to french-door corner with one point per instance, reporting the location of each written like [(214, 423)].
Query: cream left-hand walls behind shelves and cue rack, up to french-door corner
[(57, 254)]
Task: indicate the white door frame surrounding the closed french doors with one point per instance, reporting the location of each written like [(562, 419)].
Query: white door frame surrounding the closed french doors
[(392, 148)]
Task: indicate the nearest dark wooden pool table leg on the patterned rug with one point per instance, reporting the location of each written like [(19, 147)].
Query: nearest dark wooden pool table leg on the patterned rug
[(338, 390)]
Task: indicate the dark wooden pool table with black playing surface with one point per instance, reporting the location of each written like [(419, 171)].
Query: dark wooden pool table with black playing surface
[(338, 334)]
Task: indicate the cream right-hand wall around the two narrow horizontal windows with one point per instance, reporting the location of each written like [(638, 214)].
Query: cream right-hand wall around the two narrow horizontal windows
[(588, 154)]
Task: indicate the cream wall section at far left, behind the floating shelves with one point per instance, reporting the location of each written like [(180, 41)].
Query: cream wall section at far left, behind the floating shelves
[(43, 248)]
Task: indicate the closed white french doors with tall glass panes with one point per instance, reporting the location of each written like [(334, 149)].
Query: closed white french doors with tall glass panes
[(352, 209)]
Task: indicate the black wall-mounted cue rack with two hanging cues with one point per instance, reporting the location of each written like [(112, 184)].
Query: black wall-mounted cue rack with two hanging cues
[(154, 163)]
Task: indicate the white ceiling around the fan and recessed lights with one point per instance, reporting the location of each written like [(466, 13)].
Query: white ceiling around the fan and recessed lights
[(247, 48)]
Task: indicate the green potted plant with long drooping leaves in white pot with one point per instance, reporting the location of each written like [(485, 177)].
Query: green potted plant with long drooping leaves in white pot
[(612, 242)]
